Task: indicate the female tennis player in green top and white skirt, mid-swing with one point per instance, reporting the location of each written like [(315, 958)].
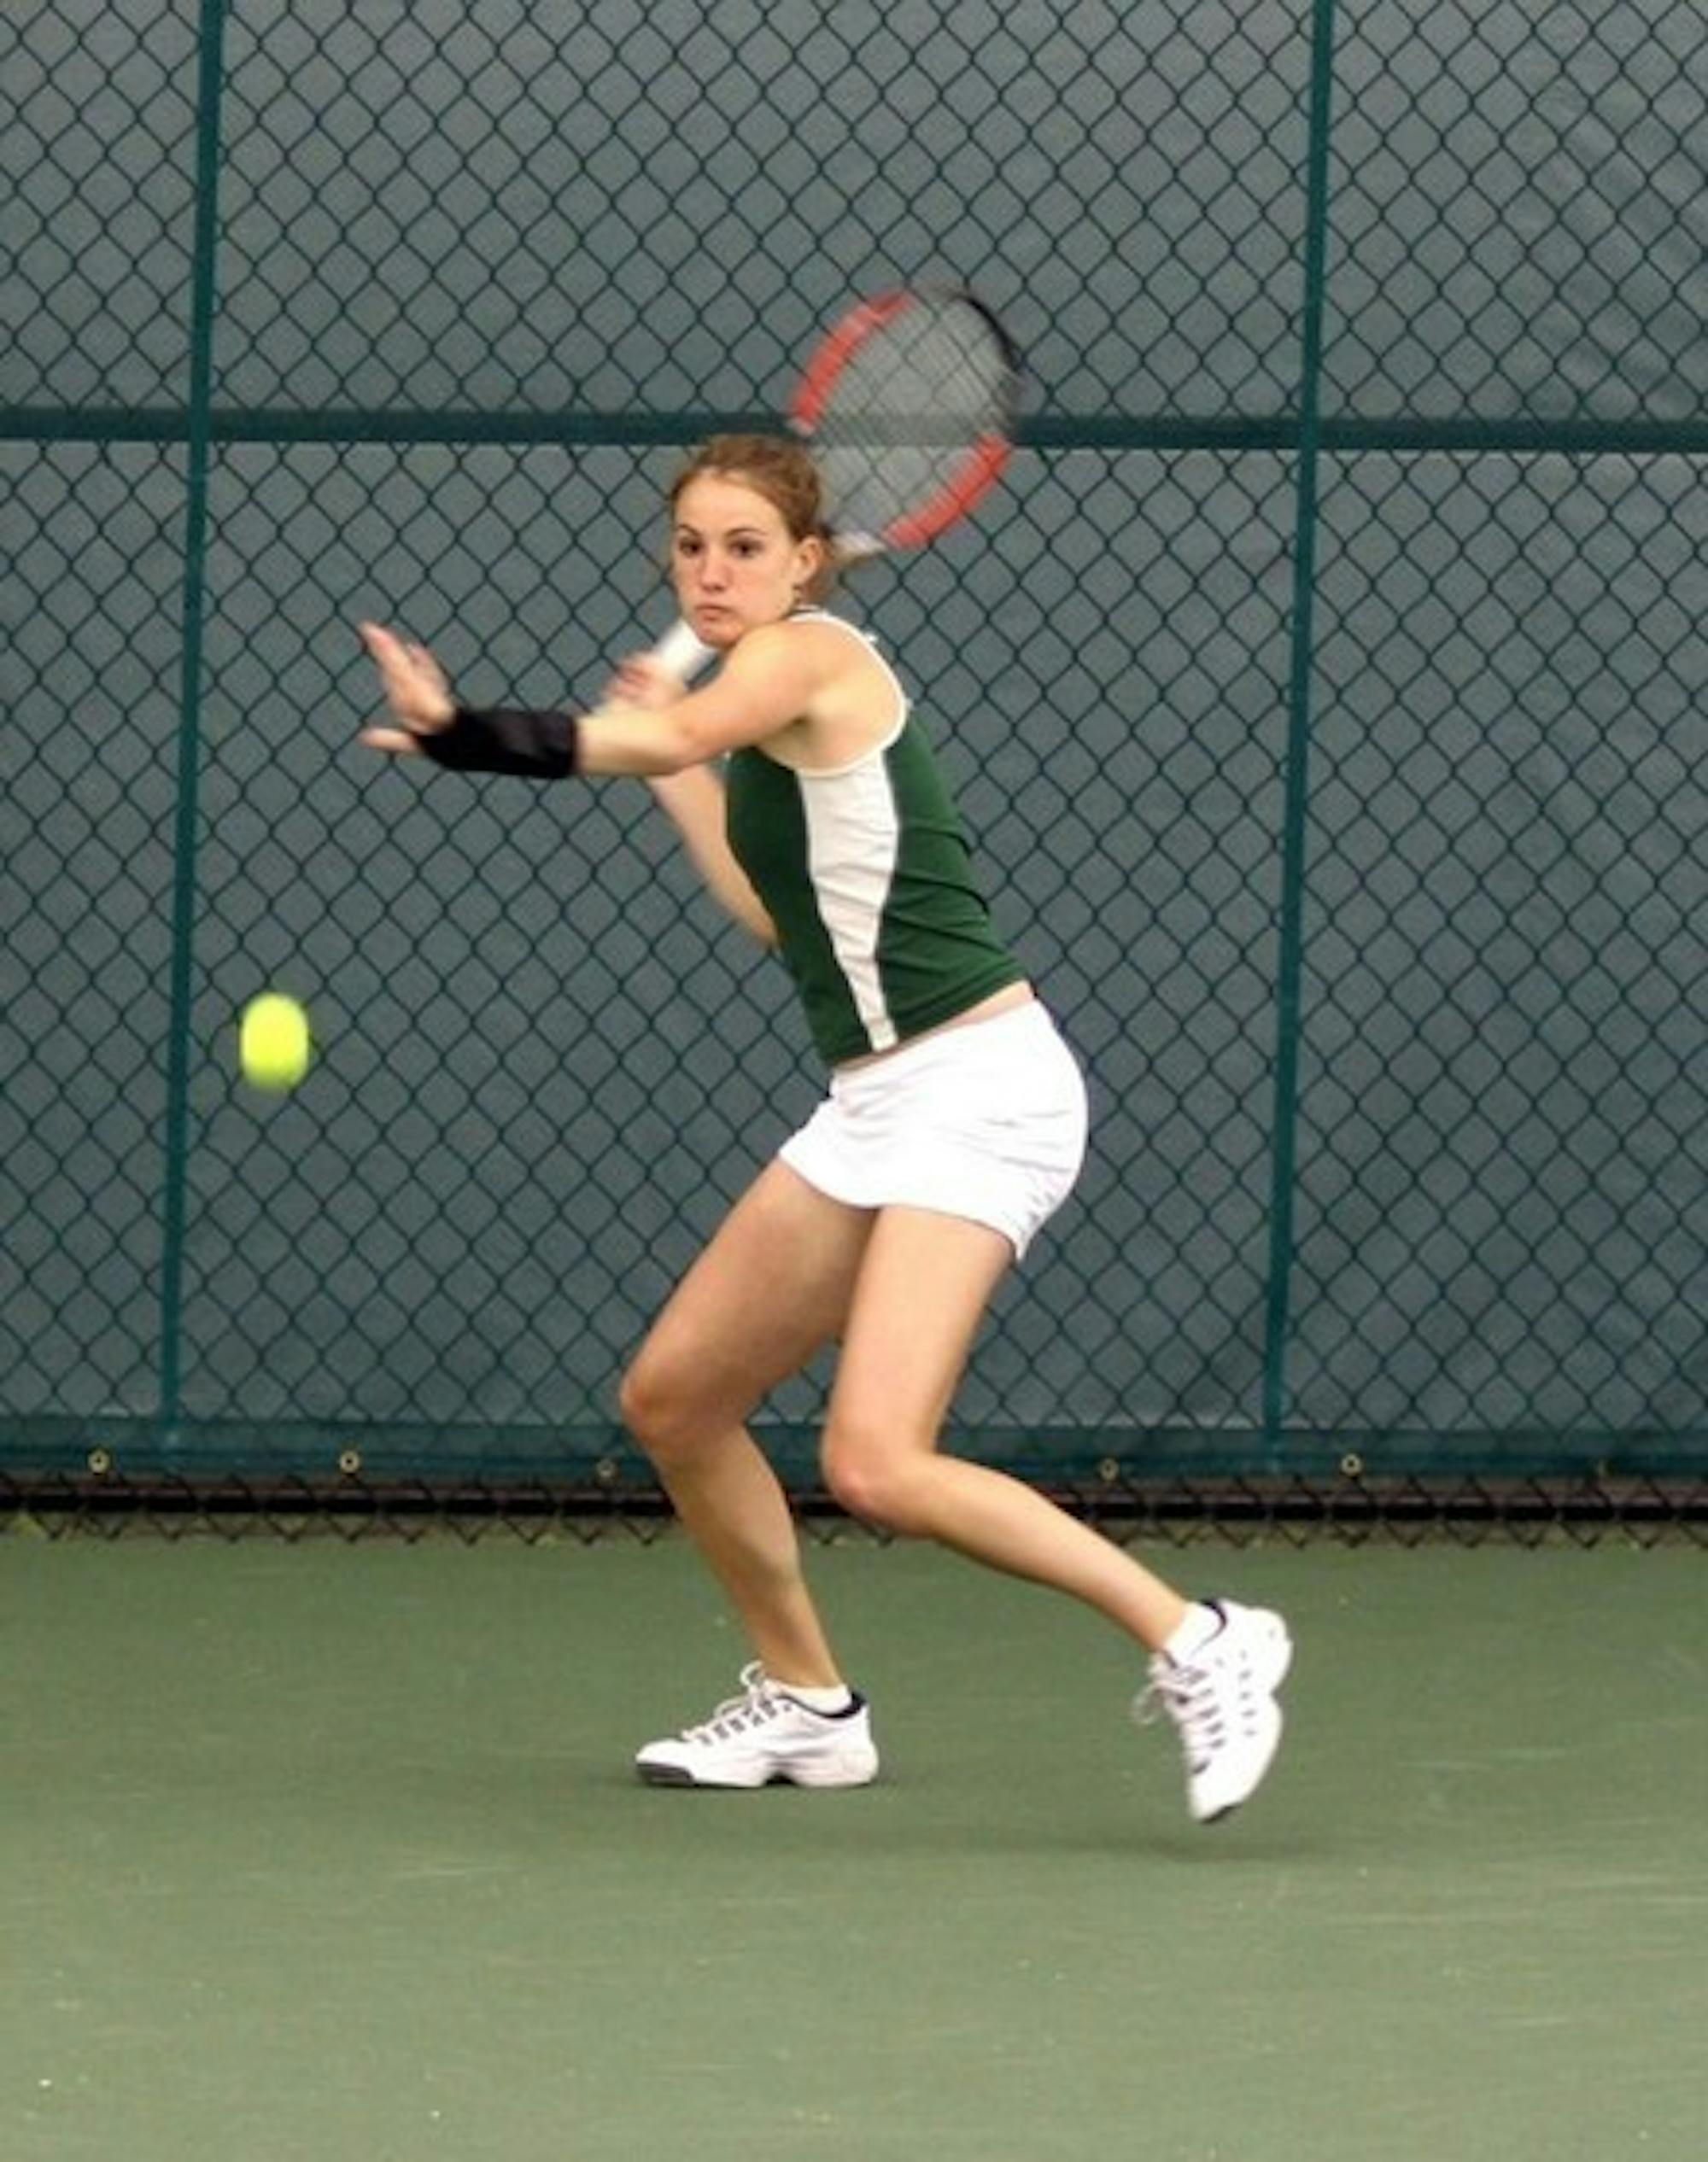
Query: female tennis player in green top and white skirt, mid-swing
[(952, 1130)]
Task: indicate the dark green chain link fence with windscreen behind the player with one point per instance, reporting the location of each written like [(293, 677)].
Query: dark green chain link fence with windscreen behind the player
[(1326, 693)]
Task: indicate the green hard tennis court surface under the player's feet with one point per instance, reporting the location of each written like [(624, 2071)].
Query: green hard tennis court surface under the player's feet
[(332, 1854)]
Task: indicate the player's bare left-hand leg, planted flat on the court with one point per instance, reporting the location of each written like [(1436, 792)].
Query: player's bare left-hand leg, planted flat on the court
[(769, 1292)]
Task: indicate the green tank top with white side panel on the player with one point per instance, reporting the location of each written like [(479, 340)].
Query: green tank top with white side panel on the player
[(870, 883)]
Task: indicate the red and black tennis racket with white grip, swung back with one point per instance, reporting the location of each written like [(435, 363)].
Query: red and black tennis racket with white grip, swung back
[(909, 410)]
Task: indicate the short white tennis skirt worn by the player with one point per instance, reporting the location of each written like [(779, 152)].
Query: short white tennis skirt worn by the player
[(983, 1121)]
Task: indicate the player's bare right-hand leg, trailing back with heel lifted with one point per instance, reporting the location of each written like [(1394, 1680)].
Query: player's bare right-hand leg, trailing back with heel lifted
[(922, 1292)]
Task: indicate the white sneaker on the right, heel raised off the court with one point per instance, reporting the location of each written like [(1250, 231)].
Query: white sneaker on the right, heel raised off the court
[(1225, 1705)]
